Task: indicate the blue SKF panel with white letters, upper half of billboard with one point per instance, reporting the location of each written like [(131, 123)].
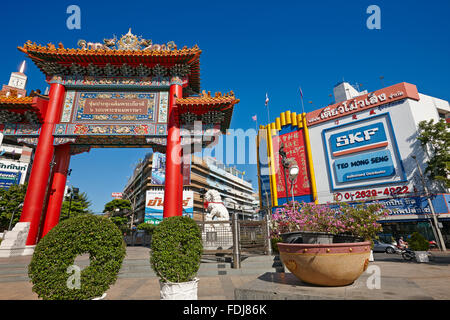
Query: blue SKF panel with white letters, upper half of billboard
[(359, 139)]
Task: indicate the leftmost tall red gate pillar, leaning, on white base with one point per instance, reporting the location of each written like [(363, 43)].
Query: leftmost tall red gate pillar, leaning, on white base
[(37, 185)]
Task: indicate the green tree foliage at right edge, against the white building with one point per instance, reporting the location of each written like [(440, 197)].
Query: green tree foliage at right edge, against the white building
[(435, 139)]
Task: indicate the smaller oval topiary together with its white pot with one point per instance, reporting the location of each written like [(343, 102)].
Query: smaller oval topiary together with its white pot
[(176, 256)]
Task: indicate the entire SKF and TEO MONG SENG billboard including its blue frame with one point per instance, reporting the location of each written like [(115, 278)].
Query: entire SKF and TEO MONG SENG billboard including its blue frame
[(363, 154)]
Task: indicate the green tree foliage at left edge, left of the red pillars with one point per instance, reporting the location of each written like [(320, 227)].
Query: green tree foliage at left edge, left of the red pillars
[(10, 200)]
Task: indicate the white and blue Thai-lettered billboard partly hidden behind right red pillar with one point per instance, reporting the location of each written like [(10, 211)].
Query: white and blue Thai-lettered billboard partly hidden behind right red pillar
[(154, 205)]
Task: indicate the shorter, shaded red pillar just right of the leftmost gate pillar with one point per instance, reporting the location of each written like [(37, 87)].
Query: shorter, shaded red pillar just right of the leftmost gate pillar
[(62, 159)]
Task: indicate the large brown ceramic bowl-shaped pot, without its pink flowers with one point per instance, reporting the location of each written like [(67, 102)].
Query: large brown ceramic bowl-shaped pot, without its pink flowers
[(336, 264)]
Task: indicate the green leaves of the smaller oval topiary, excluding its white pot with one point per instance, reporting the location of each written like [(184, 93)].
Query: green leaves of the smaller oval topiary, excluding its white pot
[(176, 249)]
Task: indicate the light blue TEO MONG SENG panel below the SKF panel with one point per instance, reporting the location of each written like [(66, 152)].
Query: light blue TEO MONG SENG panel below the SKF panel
[(364, 166)]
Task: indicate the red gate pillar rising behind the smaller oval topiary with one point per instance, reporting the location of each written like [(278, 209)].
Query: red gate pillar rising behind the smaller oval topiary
[(173, 190)]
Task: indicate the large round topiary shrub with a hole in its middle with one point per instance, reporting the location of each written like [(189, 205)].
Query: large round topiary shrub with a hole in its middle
[(50, 267)]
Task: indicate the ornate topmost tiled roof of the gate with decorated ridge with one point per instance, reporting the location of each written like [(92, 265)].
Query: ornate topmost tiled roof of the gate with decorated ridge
[(128, 56)]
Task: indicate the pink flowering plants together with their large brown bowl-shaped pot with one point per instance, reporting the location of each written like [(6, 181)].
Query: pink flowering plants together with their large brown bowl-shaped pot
[(331, 263)]
